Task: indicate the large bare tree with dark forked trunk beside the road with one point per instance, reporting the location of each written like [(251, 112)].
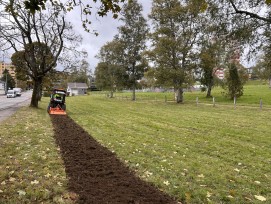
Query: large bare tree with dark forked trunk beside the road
[(38, 35)]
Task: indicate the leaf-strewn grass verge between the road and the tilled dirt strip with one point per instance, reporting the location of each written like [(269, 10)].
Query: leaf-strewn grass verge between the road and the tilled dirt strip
[(31, 170)]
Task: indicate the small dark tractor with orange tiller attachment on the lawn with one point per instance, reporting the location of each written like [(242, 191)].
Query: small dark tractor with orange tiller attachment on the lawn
[(57, 104)]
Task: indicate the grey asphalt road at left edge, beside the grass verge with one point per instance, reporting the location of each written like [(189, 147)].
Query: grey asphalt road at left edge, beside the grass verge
[(8, 106)]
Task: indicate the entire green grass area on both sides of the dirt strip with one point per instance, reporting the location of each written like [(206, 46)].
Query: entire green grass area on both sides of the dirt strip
[(199, 154)]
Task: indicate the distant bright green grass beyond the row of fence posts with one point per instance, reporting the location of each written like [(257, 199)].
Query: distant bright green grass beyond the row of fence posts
[(253, 92)]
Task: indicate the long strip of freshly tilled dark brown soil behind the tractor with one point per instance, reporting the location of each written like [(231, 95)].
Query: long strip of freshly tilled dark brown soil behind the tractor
[(95, 174)]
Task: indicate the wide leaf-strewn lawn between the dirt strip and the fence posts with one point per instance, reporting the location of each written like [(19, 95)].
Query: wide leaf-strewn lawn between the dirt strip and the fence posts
[(197, 154)]
